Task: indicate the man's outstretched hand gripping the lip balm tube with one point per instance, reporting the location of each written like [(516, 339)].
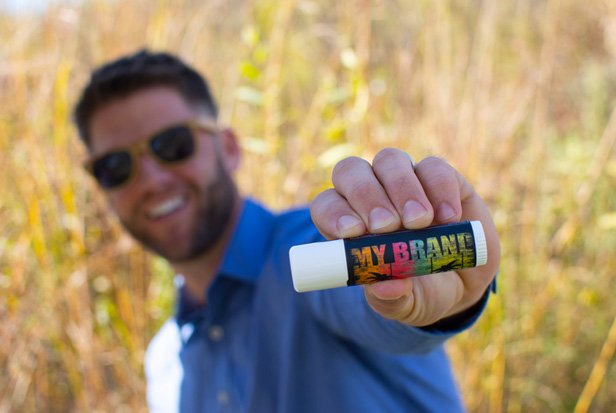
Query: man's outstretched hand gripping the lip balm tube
[(388, 196)]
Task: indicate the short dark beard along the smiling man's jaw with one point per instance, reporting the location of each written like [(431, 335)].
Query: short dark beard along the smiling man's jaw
[(213, 217)]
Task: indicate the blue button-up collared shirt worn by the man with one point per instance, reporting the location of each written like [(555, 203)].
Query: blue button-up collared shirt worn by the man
[(259, 346)]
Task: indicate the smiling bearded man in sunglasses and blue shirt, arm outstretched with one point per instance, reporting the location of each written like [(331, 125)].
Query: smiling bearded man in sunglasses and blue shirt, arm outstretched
[(242, 338)]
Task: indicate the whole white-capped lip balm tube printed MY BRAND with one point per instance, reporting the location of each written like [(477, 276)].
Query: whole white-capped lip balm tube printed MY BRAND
[(379, 257)]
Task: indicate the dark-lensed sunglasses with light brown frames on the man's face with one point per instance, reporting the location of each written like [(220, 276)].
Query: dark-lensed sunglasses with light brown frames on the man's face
[(170, 147)]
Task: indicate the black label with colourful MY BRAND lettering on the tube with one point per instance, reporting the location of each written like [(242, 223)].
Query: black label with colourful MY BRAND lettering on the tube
[(409, 253)]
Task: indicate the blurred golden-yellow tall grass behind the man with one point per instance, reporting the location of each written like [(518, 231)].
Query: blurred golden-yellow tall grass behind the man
[(518, 95)]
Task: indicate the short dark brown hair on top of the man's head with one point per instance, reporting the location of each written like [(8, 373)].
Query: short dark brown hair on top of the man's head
[(129, 74)]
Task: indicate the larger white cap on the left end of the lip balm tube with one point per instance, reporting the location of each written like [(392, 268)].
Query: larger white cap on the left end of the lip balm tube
[(318, 266)]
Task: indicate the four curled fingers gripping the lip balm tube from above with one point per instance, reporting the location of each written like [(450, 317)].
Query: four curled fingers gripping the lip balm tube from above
[(388, 195)]
